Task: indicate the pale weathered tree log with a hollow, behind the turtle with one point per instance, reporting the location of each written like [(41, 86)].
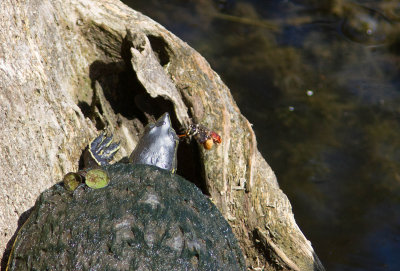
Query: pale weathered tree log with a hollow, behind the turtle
[(69, 68)]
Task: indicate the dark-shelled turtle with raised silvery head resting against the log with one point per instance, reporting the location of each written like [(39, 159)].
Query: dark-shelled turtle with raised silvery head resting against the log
[(143, 217)]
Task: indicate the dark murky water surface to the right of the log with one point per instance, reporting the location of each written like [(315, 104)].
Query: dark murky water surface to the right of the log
[(320, 82)]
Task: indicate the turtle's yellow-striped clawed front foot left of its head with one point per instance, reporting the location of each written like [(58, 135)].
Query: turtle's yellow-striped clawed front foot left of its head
[(102, 149)]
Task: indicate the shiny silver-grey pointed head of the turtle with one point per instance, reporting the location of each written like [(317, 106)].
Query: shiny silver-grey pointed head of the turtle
[(157, 146)]
